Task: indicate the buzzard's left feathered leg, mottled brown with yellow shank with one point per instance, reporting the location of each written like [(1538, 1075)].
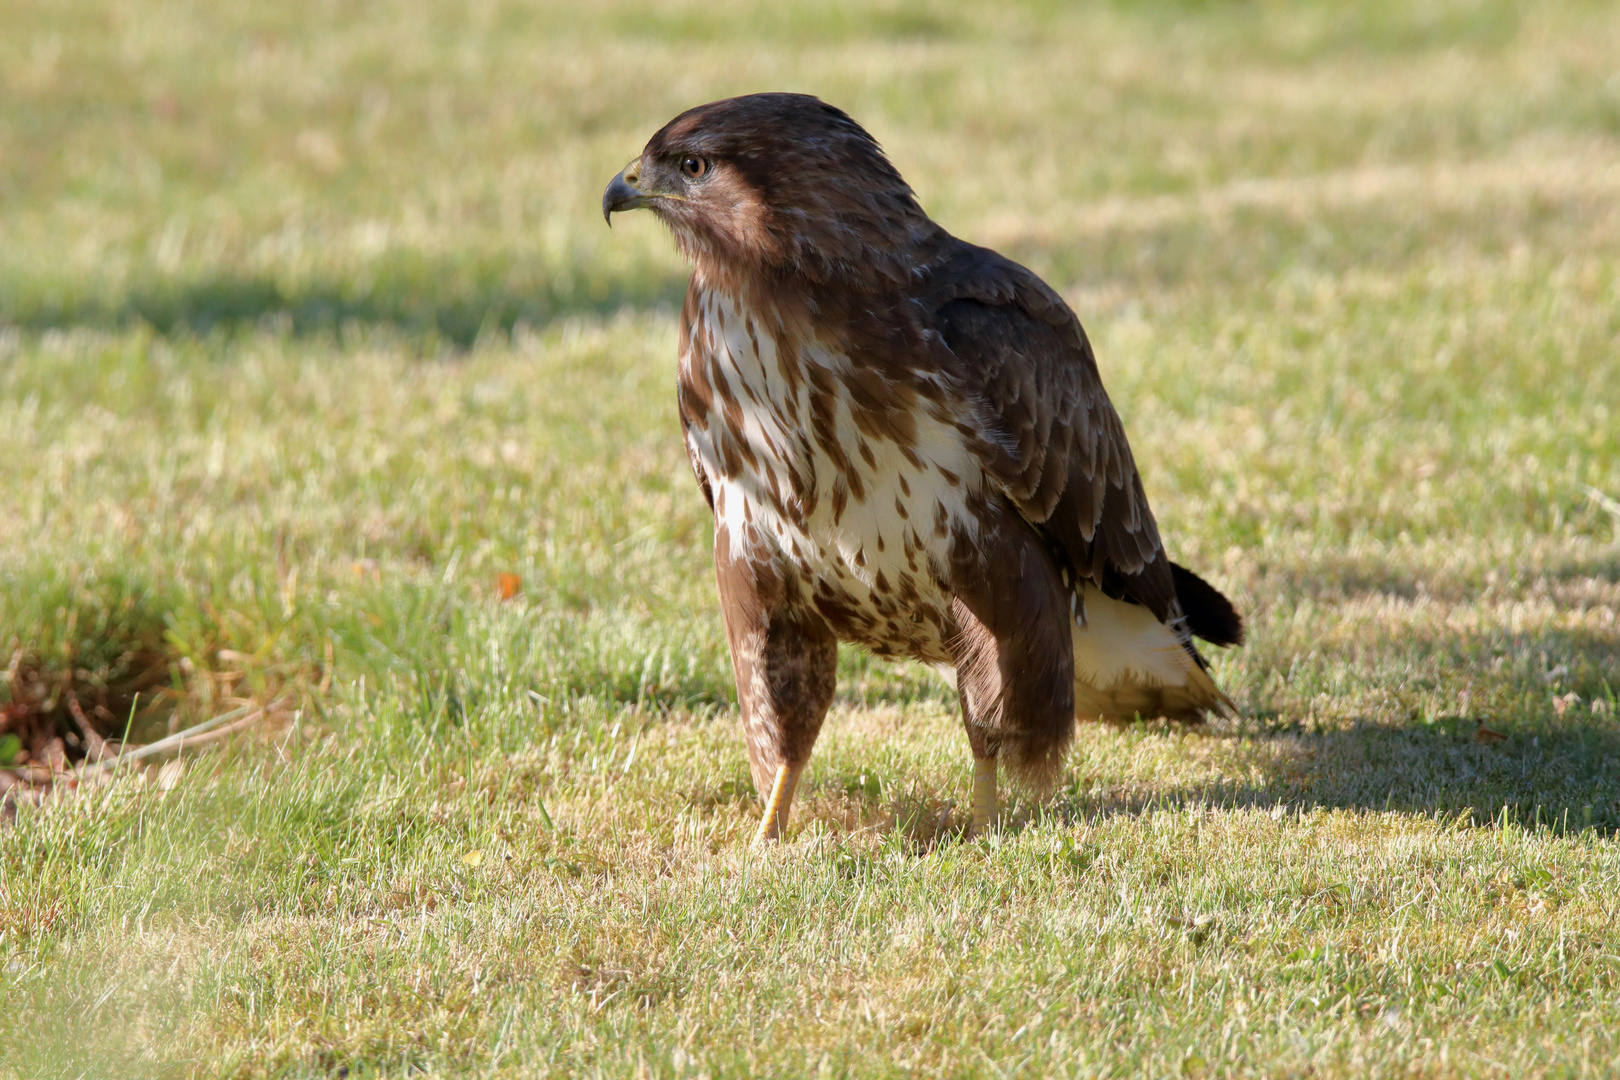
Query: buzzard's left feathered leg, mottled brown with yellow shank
[(787, 666)]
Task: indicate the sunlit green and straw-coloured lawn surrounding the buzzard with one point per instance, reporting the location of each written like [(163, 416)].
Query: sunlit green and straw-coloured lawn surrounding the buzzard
[(310, 331)]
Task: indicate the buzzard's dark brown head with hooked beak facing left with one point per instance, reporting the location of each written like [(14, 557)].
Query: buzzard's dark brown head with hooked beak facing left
[(775, 184)]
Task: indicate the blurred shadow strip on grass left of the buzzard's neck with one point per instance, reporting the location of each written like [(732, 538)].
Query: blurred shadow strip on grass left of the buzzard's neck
[(441, 304)]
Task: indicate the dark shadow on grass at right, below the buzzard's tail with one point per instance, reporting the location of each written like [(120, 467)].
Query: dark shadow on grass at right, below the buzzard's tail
[(1543, 749)]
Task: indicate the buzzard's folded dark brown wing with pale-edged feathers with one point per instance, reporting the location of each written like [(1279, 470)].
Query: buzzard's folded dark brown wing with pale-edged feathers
[(1064, 457)]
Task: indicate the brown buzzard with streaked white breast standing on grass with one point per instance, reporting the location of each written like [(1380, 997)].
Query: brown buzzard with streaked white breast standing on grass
[(906, 444)]
